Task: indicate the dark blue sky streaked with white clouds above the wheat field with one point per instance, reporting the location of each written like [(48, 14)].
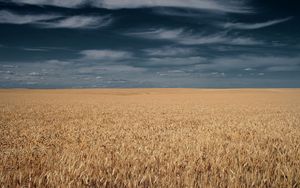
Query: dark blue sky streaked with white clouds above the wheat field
[(149, 43)]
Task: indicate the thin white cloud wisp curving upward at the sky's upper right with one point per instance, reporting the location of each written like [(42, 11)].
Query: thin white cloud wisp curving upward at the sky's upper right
[(255, 25)]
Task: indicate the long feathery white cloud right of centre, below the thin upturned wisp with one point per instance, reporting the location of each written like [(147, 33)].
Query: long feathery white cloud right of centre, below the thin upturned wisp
[(189, 38)]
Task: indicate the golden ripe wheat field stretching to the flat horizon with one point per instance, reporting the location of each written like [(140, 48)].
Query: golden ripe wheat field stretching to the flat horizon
[(150, 138)]
